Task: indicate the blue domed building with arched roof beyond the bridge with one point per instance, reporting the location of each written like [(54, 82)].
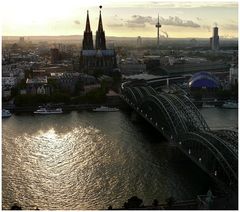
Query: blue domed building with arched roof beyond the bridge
[(203, 80)]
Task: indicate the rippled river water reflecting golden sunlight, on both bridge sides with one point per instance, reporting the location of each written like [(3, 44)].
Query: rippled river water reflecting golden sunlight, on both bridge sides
[(86, 160)]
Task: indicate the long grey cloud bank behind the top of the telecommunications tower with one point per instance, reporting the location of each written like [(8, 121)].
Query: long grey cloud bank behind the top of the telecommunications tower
[(141, 21)]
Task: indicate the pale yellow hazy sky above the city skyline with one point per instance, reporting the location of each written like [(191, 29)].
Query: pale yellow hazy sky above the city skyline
[(126, 18)]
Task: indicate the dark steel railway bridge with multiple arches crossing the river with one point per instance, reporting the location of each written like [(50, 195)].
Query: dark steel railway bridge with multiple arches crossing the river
[(179, 121)]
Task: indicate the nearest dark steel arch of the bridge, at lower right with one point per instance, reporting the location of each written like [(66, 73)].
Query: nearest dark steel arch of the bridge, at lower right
[(210, 155)]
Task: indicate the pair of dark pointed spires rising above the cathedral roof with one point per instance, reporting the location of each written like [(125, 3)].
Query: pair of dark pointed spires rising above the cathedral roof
[(100, 36)]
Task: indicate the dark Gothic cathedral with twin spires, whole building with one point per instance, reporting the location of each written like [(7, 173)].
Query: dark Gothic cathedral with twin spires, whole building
[(98, 58)]
